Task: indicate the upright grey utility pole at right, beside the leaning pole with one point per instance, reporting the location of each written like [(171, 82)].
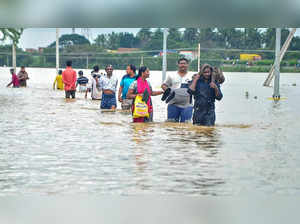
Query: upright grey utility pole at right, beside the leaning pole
[(276, 95)]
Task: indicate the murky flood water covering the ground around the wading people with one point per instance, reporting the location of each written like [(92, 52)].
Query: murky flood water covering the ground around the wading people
[(53, 146)]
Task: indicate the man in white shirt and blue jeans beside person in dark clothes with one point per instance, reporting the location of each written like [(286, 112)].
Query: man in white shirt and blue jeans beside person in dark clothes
[(180, 108)]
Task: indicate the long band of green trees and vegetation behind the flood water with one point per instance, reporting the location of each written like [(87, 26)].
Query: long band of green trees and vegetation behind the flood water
[(149, 42)]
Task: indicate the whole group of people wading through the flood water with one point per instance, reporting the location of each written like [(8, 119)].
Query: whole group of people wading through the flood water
[(189, 97)]
